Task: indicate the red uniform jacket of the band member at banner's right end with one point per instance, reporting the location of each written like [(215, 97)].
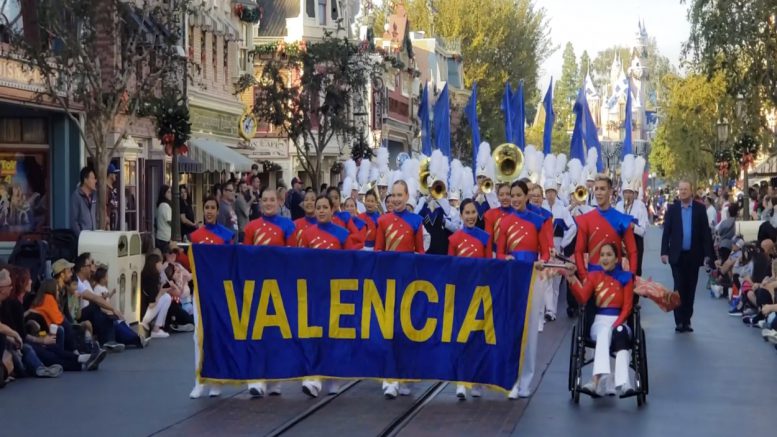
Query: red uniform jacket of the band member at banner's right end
[(524, 232)]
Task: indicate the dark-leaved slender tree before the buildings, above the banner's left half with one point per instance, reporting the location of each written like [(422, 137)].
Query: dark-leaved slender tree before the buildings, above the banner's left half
[(306, 90)]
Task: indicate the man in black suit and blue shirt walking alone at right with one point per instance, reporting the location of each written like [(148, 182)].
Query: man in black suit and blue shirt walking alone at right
[(686, 245)]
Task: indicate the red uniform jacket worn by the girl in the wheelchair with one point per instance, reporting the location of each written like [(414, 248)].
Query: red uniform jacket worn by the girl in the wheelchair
[(613, 290)]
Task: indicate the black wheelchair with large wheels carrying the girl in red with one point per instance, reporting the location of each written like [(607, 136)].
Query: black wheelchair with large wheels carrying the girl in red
[(579, 355)]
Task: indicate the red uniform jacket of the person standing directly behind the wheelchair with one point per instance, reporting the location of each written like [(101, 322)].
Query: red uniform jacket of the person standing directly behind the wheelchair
[(597, 227)]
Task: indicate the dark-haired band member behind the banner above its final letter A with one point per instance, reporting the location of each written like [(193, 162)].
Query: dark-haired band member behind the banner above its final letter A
[(470, 242)]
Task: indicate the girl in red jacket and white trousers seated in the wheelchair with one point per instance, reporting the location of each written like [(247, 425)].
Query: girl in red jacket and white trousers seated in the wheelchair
[(613, 290)]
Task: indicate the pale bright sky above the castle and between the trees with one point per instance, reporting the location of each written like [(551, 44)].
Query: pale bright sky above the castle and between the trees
[(595, 25)]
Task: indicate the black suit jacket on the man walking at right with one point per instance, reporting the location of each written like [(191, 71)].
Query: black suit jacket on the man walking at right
[(701, 237)]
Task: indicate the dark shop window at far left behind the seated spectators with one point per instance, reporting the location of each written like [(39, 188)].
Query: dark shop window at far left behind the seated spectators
[(24, 192)]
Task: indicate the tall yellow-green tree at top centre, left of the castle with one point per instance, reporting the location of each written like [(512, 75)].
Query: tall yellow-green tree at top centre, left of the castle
[(501, 40)]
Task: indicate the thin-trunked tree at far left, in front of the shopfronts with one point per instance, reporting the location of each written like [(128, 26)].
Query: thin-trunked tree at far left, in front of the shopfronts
[(105, 59)]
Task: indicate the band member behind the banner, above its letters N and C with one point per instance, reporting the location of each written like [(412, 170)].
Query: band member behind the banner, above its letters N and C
[(399, 231)]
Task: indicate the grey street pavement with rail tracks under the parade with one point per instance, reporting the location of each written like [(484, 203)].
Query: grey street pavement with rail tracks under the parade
[(717, 381)]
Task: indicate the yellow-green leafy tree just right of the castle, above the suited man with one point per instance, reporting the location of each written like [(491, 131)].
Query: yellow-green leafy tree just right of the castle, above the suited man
[(686, 138)]
